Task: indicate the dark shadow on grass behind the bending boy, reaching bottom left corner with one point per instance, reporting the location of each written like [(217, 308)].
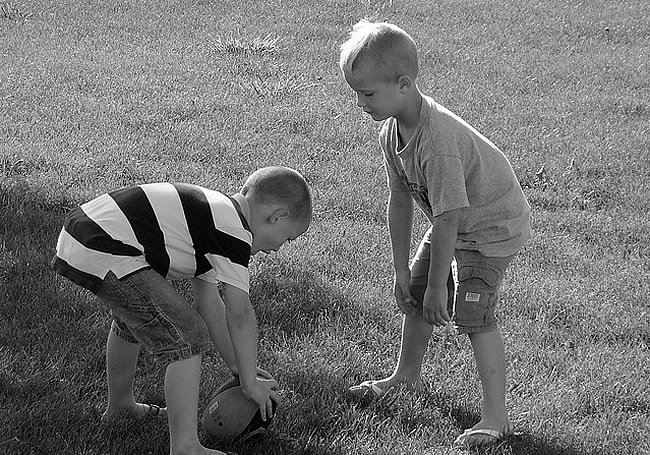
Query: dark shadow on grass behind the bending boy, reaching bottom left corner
[(52, 337)]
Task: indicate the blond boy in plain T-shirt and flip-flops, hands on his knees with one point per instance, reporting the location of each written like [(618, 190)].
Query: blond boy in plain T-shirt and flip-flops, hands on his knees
[(468, 191)]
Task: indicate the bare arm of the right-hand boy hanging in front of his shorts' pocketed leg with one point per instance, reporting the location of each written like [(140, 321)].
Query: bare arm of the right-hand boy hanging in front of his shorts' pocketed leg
[(443, 243)]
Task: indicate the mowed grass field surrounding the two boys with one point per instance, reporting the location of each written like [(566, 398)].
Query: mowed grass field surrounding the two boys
[(98, 95)]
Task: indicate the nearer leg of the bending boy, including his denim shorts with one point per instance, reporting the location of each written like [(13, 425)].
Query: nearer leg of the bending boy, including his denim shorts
[(161, 319)]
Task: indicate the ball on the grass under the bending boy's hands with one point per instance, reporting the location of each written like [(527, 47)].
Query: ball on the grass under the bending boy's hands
[(230, 415)]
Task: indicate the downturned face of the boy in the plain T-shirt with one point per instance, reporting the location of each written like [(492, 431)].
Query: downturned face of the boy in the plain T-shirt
[(378, 98)]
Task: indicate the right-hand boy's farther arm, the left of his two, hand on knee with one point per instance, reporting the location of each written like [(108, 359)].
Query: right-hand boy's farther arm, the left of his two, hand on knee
[(400, 226)]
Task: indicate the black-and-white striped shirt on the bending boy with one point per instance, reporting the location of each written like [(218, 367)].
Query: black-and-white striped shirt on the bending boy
[(177, 229)]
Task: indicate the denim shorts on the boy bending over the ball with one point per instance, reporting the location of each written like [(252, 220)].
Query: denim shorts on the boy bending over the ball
[(148, 310)]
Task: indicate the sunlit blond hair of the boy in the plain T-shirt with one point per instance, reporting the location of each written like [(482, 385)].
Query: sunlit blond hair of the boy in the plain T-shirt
[(389, 48)]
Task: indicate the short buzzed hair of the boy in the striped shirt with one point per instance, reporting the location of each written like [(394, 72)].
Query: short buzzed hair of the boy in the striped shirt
[(281, 185)]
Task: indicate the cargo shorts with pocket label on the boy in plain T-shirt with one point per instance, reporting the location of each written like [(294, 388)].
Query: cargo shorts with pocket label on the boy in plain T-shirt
[(473, 299)]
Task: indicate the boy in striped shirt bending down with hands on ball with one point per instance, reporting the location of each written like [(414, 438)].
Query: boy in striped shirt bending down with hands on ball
[(124, 245)]
